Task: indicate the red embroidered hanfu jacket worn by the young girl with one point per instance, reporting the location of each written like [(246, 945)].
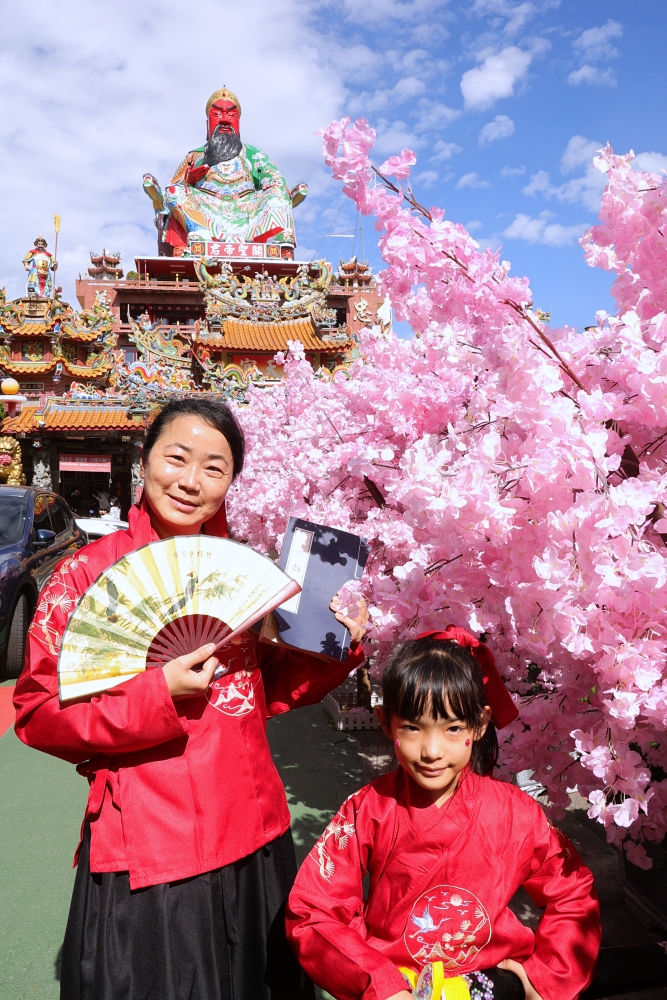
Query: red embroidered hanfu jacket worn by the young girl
[(440, 882)]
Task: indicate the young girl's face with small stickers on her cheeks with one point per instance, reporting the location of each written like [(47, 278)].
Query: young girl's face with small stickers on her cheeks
[(433, 751)]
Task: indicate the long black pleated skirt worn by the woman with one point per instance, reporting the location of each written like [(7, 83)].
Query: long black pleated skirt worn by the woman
[(217, 936)]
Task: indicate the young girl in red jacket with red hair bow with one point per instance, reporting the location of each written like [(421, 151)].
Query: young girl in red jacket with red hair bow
[(446, 847)]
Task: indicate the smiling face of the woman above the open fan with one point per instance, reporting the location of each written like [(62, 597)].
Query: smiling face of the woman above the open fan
[(186, 476)]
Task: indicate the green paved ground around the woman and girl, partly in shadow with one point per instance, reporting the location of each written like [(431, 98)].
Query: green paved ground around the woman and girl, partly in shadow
[(42, 805)]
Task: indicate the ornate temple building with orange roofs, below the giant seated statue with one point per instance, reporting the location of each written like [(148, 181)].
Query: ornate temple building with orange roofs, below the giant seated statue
[(92, 376)]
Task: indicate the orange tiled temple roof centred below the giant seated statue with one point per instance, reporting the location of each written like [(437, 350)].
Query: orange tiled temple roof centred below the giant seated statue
[(239, 335)]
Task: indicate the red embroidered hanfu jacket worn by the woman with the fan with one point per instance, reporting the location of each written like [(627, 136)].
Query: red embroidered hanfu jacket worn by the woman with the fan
[(181, 788)]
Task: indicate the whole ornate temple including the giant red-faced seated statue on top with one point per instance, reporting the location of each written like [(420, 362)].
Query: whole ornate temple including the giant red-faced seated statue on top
[(208, 313)]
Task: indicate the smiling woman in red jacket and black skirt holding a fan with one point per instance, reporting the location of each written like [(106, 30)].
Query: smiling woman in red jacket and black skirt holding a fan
[(186, 858)]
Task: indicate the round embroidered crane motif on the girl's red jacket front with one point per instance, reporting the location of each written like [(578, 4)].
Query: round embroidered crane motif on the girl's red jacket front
[(447, 924)]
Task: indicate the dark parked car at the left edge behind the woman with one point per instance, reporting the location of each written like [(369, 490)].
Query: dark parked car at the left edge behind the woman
[(37, 529)]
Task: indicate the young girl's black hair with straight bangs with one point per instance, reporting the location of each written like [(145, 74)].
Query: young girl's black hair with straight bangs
[(436, 677)]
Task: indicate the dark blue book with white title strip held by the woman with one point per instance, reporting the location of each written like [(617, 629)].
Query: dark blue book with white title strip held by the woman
[(321, 559)]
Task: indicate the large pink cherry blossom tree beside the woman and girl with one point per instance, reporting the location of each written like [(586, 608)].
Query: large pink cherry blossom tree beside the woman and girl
[(510, 478)]
